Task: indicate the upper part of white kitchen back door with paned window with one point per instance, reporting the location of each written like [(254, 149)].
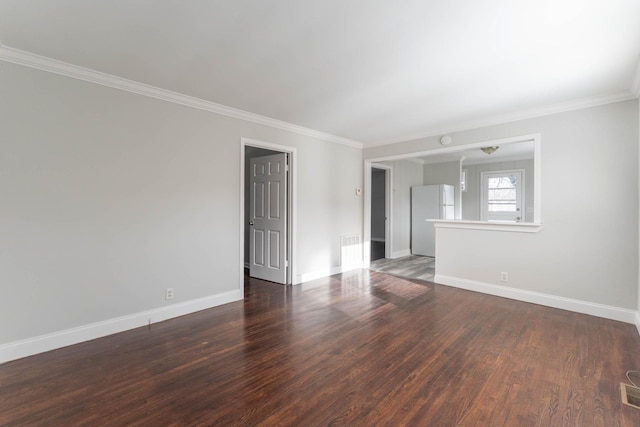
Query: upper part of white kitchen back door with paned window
[(502, 195)]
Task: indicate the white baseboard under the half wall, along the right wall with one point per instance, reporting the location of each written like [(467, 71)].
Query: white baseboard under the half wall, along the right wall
[(578, 306)]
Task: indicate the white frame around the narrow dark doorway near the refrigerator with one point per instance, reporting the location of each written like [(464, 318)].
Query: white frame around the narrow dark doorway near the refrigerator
[(388, 202)]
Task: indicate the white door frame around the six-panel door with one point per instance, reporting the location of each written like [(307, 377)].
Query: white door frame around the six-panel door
[(291, 204)]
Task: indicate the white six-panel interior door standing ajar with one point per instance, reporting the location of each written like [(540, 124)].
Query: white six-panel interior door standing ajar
[(268, 218)]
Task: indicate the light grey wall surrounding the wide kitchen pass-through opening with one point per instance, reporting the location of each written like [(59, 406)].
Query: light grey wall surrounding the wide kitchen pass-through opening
[(587, 249)]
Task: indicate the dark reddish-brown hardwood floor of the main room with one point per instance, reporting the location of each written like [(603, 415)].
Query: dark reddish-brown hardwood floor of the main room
[(359, 349)]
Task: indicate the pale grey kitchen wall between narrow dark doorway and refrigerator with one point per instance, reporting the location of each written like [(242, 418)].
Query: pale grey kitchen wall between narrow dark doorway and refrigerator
[(405, 175)]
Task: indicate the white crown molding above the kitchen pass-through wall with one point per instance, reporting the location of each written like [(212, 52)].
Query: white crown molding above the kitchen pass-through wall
[(512, 117)]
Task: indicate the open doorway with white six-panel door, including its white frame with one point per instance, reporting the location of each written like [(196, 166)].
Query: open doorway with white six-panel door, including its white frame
[(267, 211)]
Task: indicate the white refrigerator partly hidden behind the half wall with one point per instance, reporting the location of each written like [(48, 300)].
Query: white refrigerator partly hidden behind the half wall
[(428, 202)]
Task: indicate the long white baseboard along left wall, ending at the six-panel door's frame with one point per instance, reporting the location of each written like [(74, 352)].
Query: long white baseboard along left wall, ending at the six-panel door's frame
[(40, 344)]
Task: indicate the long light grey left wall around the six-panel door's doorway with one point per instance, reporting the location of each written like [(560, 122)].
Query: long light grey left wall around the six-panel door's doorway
[(109, 197)]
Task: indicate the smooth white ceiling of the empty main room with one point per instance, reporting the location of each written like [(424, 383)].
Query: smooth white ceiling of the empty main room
[(370, 71)]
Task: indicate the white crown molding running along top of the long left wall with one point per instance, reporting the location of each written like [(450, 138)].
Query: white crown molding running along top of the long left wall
[(31, 60)]
